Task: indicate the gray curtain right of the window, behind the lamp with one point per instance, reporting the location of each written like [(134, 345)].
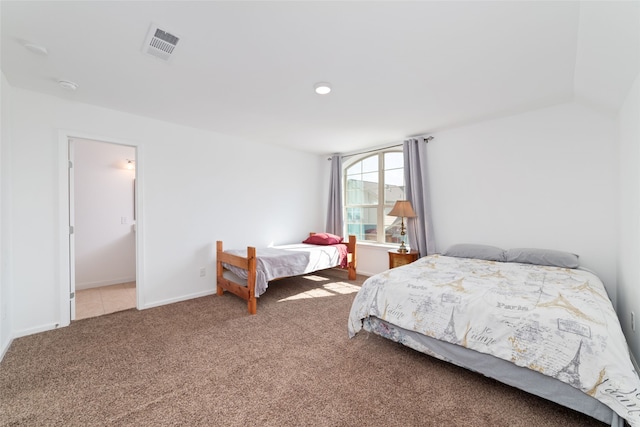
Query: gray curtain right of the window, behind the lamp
[(420, 228)]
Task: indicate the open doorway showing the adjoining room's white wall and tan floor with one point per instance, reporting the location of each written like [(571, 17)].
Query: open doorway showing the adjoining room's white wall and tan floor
[(102, 212)]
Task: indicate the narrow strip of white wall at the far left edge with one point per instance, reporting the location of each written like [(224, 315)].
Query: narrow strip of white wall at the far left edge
[(6, 307)]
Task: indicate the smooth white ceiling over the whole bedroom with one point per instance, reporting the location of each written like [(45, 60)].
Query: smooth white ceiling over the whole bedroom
[(397, 68)]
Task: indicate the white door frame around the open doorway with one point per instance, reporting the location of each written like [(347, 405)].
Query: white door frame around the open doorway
[(66, 265)]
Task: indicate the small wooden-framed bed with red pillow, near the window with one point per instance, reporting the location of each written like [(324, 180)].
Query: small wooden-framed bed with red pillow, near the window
[(247, 273)]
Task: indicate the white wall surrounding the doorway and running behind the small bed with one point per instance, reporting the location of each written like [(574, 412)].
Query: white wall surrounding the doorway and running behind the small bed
[(198, 187)]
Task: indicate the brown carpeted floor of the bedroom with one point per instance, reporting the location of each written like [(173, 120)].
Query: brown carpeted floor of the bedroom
[(206, 362)]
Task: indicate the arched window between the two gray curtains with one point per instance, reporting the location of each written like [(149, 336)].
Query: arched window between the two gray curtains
[(372, 185)]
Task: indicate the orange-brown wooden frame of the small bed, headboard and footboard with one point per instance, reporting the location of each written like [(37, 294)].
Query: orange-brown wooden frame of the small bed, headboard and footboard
[(249, 263)]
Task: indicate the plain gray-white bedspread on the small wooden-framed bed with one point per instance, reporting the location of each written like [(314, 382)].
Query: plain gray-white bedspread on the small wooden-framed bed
[(286, 261)]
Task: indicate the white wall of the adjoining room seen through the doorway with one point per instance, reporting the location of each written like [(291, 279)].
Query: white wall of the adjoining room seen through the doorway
[(104, 227)]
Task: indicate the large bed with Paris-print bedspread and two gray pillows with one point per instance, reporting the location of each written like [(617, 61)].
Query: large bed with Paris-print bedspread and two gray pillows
[(528, 318)]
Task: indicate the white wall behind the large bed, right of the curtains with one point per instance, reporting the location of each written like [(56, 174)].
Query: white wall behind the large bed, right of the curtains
[(544, 179)]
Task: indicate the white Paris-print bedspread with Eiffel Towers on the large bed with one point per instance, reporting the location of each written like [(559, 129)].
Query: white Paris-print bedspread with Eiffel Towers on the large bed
[(556, 321)]
